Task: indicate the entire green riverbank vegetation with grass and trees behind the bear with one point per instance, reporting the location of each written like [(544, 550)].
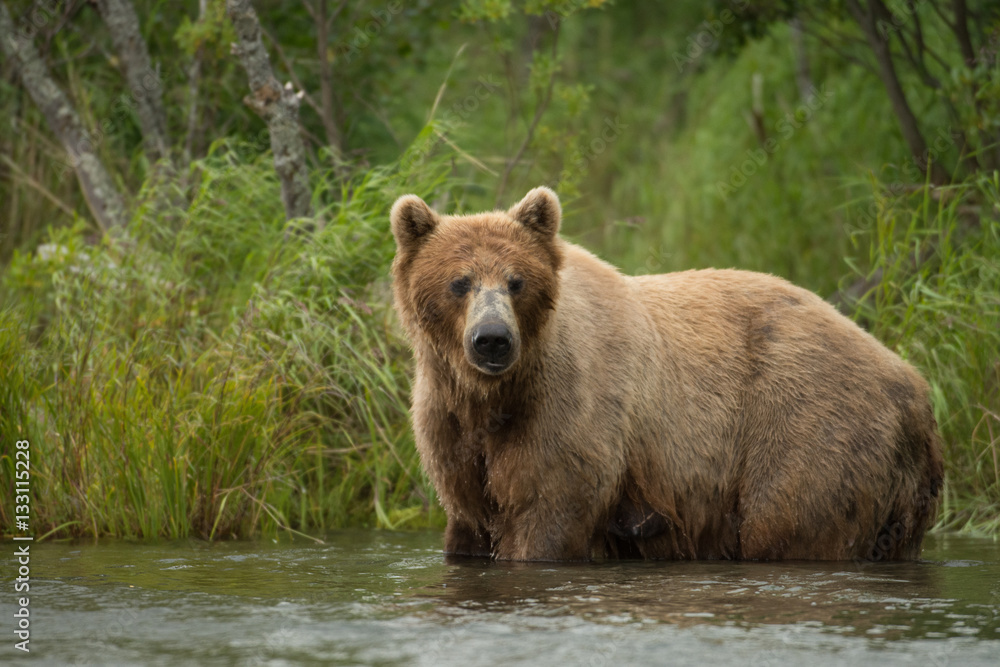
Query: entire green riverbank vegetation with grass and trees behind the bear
[(208, 349)]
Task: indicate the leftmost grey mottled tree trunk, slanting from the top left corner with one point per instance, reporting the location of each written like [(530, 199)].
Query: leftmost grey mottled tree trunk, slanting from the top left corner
[(103, 198)]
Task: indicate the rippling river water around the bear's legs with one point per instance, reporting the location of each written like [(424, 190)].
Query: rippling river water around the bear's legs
[(379, 598)]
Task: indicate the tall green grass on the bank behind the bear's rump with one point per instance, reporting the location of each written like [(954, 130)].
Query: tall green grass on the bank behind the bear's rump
[(934, 258)]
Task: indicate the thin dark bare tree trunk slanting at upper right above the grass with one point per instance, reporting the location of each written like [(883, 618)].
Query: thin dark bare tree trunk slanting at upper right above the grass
[(900, 106)]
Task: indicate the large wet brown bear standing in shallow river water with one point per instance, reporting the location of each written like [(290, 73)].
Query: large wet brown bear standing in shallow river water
[(564, 411)]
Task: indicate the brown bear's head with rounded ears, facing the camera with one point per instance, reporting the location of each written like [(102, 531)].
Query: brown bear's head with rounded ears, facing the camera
[(477, 290)]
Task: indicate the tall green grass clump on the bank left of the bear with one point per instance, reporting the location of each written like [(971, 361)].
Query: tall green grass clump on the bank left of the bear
[(214, 373)]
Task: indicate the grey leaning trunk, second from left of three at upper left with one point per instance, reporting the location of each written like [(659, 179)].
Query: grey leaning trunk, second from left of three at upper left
[(143, 79)]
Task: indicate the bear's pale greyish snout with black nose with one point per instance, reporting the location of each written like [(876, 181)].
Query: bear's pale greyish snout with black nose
[(492, 341)]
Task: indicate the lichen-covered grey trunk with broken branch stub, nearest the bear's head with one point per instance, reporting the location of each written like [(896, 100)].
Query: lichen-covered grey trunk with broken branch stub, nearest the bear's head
[(277, 105)]
